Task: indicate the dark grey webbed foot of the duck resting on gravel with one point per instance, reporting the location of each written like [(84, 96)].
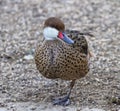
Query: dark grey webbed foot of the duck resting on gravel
[(64, 101)]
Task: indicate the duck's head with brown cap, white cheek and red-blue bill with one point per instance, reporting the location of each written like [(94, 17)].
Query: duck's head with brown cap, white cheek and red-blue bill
[(54, 29)]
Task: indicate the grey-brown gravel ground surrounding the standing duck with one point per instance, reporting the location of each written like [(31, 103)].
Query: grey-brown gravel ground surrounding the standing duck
[(23, 88)]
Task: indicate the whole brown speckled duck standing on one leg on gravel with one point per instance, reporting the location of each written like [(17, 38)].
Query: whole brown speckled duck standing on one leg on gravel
[(63, 54)]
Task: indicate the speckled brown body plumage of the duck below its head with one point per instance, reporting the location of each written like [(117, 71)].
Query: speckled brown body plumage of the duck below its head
[(56, 59)]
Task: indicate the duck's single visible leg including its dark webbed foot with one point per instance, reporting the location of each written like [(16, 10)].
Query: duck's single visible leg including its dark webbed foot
[(64, 101)]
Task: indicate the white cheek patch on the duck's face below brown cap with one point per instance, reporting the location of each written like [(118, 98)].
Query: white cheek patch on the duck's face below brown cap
[(50, 33)]
